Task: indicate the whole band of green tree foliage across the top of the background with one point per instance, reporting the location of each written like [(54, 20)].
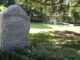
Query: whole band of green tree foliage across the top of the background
[(68, 9)]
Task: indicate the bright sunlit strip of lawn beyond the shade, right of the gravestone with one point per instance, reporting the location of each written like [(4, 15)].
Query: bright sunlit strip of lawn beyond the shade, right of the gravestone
[(42, 27)]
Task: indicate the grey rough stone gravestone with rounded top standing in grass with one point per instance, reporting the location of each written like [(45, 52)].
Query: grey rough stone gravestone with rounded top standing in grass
[(14, 28)]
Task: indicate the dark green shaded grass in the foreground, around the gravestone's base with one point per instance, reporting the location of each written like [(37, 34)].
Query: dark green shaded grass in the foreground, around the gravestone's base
[(42, 53)]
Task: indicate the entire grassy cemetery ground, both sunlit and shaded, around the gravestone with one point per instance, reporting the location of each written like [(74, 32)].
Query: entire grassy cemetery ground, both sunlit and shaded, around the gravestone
[(58, 42)]
